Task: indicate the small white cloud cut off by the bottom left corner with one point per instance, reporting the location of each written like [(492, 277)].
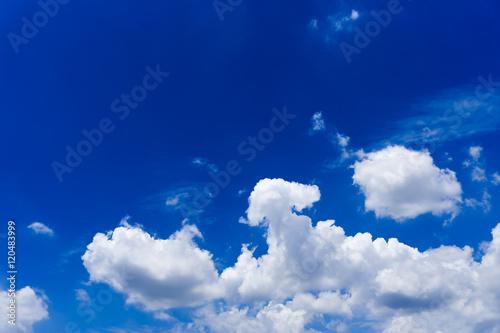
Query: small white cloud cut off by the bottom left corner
[(31, 308)]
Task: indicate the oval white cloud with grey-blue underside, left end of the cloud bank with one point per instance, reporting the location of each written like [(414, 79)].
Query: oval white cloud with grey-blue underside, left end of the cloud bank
[(154, 273)]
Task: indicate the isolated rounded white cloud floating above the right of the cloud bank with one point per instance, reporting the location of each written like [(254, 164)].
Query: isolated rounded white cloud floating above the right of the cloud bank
[(401, 183)]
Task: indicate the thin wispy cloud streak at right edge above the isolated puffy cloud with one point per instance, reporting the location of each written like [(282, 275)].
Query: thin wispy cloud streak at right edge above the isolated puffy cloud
[(452, 114)]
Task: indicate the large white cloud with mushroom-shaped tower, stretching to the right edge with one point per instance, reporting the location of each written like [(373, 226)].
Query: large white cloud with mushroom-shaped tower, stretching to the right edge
[(389, 282)]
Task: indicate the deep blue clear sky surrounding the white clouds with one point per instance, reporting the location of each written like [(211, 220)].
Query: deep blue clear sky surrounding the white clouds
[(225, 79)]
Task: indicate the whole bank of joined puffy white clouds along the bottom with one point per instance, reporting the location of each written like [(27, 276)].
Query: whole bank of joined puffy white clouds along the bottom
[(311, 274)]
